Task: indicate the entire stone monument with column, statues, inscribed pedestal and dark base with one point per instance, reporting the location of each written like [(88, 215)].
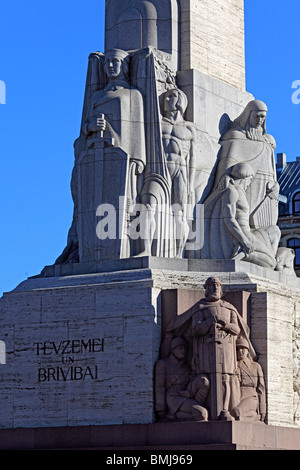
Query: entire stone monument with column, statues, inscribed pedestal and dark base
[(170, 318)]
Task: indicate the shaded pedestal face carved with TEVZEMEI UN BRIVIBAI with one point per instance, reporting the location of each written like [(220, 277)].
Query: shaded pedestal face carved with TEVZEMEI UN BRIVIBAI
[(79, 351)]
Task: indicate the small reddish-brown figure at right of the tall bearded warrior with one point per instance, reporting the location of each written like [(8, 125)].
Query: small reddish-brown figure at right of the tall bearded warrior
[(252, 400)]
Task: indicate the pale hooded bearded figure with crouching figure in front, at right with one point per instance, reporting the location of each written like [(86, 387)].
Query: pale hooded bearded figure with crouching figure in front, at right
[(244, 201)]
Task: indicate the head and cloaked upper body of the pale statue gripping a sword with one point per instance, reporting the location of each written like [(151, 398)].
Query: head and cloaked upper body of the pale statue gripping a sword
[(117, 112)]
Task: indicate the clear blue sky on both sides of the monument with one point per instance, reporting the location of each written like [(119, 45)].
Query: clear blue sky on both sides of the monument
[(44, 48)]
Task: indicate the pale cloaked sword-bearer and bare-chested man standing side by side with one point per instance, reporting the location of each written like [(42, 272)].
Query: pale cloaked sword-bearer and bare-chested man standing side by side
[(132, 104)]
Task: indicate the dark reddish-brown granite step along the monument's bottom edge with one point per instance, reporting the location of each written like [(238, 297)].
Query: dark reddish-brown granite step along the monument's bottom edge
[(193, 436)]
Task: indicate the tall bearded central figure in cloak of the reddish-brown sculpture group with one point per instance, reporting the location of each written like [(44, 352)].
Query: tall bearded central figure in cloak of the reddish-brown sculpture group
[(212, 328)]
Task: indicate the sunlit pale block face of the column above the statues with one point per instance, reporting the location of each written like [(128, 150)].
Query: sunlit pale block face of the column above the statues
[(212, 39)]
